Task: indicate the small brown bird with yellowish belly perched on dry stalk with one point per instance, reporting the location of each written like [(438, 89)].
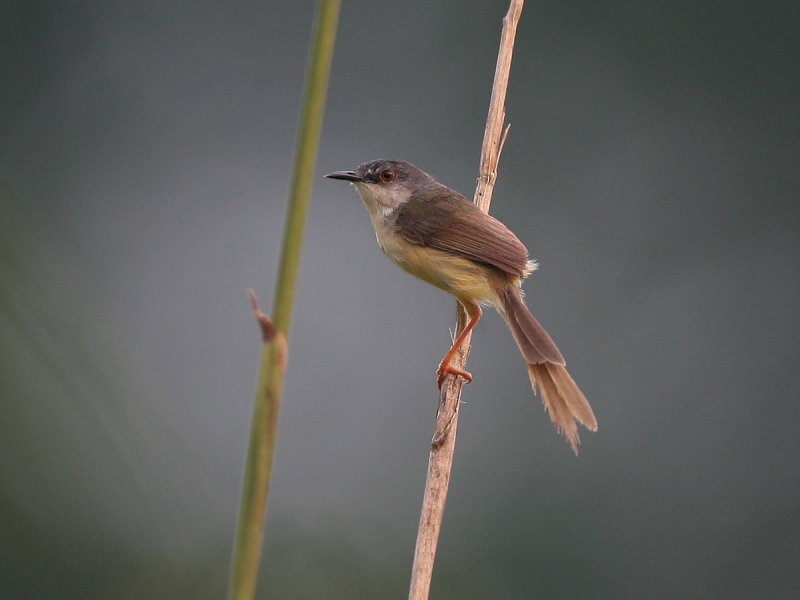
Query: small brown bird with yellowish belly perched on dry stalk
[(438, 235)]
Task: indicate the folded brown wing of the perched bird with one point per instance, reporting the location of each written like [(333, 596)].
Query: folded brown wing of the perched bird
[(441, 218)]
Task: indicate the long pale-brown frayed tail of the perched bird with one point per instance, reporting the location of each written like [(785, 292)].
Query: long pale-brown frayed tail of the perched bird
[(564, 401)]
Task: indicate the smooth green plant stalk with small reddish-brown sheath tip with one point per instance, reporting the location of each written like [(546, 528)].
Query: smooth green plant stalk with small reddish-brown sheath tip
[(263, 432)]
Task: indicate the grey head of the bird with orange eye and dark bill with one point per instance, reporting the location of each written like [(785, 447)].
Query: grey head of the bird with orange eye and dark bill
[(385, 183)]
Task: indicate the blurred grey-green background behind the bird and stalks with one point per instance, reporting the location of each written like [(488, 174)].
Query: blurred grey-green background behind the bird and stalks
[(651, 168)]
